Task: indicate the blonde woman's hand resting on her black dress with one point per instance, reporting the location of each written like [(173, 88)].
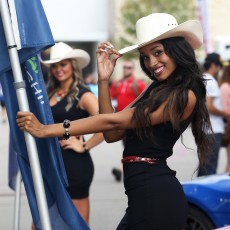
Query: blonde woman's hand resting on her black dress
[(73, 143)]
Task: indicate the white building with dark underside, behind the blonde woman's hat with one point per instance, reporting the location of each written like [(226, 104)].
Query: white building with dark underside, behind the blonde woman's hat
[(81, 24)]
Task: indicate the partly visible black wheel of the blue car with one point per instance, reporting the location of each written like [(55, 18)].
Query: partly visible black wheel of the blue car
[(198, 220)]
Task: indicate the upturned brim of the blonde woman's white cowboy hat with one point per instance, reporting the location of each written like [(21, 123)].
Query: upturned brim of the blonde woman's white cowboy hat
[(81, 56)]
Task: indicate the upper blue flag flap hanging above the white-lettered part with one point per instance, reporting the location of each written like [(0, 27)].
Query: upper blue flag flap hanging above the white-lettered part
[(35, 34)]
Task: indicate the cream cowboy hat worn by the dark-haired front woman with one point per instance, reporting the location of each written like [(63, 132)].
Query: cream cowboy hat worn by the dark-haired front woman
[(157, 26)]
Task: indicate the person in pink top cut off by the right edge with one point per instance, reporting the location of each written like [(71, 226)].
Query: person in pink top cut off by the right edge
[(225, 98)]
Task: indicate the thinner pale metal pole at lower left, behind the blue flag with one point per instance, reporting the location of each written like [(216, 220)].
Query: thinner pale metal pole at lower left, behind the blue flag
[(17, 202)]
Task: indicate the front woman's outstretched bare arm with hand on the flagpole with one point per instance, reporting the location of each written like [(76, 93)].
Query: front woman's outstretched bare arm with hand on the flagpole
[(96, 124)]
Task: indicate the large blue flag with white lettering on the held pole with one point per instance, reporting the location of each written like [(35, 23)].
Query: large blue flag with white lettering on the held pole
[(35, 35)]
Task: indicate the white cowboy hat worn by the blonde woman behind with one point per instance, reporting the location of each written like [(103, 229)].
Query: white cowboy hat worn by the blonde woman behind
[(61, 51)]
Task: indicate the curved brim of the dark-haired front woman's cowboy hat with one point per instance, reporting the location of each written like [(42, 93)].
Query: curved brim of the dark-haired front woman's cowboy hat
[(191, 30)]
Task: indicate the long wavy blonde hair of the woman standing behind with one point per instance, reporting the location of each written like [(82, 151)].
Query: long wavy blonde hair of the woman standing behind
[(53, 84)]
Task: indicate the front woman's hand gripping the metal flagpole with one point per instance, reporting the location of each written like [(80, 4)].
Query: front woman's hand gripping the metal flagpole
[(28, 122)]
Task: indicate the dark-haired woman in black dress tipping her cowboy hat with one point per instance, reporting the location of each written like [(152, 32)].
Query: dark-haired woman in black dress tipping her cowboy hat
[(153, 123)]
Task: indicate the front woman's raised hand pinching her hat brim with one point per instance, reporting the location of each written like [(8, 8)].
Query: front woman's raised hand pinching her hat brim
[(106, 60)]
